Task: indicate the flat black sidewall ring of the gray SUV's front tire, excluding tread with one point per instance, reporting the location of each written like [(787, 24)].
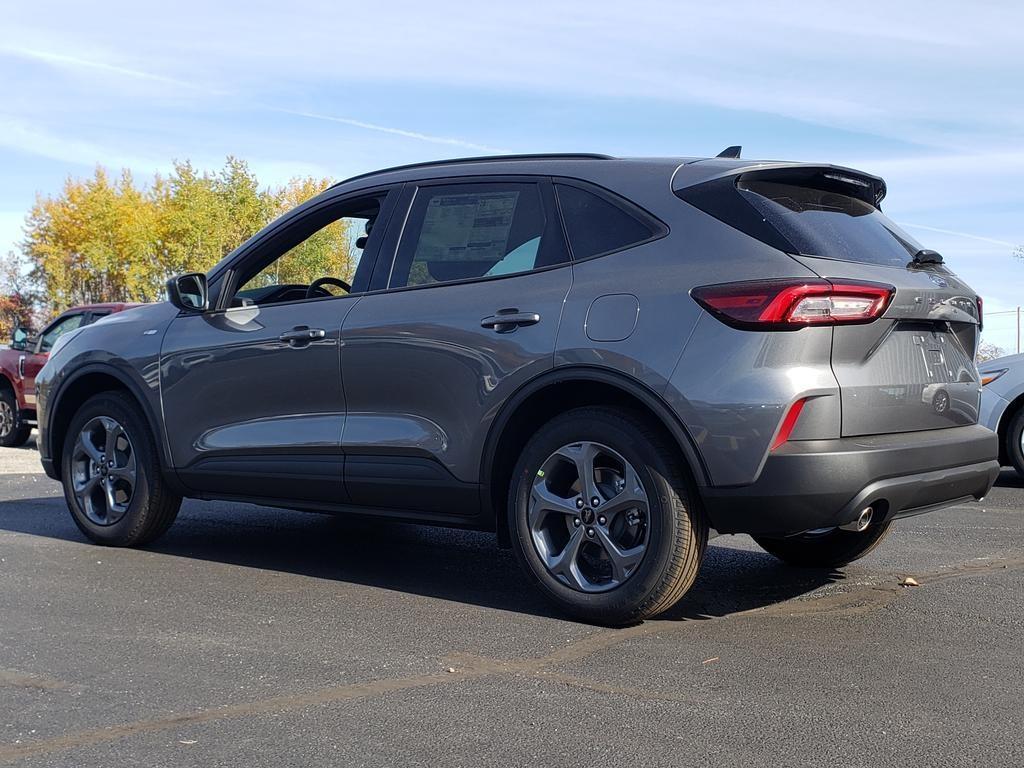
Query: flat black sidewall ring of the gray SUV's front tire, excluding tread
[(127, 529)]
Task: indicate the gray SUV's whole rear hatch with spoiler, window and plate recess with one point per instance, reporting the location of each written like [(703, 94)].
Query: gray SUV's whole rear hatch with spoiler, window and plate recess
[(912, 369)]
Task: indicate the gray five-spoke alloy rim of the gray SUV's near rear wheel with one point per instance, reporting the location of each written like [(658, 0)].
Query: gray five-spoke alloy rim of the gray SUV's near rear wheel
[(589, 518)]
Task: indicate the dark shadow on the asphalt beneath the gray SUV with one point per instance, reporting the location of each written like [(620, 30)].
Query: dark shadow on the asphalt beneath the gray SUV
[(458, 566)]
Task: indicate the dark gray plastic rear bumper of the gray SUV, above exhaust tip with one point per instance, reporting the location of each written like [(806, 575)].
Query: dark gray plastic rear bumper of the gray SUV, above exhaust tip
[(822, 484)]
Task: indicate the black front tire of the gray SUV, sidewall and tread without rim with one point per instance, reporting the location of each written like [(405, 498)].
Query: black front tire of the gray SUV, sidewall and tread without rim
[(153, 506)]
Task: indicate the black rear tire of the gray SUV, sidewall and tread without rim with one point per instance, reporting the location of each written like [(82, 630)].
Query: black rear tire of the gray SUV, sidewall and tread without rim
[(676, 528)]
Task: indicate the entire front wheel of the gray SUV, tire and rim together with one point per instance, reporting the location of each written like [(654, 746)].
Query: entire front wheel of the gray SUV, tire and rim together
[(111, 475)]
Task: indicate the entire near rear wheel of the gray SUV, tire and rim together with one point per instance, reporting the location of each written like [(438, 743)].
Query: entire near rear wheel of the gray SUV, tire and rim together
[(604, 519)]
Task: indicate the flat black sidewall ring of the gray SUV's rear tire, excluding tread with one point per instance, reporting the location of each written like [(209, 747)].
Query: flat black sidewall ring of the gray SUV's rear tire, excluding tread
[(663, 521)]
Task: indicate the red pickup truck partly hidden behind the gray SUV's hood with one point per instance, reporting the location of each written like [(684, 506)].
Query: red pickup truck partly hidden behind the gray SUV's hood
[(25, 358)]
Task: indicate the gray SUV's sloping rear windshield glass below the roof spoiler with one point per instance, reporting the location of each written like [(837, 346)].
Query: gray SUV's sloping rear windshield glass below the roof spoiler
[(821, 223)]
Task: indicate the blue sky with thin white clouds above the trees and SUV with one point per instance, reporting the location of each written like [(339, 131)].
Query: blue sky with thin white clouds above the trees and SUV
[(929, 96)]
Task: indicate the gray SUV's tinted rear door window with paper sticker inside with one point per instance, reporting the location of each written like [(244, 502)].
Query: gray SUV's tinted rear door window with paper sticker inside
[(472, 231)]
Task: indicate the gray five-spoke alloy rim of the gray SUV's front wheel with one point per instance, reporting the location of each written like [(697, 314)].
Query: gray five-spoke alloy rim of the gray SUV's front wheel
[(104, 471)]
